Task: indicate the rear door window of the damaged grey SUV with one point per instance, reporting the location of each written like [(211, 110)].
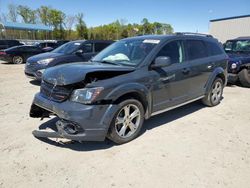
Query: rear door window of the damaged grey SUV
[(196, 49)]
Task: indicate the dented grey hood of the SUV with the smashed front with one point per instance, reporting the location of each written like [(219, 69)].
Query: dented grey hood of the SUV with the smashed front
[(75, 72)]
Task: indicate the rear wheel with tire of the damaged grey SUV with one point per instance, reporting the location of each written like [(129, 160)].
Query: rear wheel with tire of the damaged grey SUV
[(213, 97)]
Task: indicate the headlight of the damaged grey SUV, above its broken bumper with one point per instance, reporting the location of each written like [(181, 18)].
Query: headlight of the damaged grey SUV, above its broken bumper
[(85, 96)]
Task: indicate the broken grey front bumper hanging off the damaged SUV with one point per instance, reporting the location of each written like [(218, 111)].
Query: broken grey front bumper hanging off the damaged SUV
[(76, 121)]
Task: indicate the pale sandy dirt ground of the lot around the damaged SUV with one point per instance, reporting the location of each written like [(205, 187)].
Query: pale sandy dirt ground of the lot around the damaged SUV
[(192, 146)]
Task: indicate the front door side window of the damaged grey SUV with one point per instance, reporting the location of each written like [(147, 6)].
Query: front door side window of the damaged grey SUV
[(173, 50)]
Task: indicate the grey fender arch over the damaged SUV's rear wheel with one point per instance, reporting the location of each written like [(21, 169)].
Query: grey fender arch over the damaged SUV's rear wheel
[(217, 72)]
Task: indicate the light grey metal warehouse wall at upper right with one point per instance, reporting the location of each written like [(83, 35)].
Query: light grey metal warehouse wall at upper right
[(230, 28)]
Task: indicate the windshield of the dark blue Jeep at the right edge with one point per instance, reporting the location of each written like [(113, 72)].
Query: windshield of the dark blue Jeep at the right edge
[(238, 46)]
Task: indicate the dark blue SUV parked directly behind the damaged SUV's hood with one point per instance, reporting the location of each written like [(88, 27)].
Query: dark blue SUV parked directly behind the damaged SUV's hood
[(75, 51)]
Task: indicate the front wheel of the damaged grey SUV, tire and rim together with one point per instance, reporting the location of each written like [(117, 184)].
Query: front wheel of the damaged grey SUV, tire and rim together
[(127, 122)]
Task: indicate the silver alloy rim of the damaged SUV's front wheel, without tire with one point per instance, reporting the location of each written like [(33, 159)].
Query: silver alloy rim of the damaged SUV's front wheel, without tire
[(127, 120)]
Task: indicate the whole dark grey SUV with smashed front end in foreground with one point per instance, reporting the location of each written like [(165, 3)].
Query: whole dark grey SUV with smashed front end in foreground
[(131, 80)]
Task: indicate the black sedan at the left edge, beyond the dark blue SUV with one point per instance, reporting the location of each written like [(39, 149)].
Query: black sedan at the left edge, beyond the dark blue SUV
[(19, 54)]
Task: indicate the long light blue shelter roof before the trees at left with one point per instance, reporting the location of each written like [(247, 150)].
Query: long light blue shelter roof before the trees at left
[(25, 26)]
